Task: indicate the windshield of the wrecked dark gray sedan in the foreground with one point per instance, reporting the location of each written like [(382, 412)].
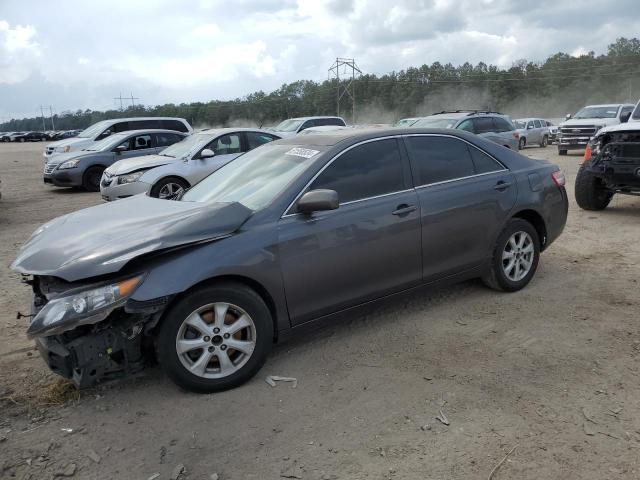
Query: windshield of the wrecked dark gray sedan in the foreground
[(255, 178)]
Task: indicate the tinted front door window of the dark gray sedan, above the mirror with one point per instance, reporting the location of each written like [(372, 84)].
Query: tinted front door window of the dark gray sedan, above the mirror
[(365, 171)]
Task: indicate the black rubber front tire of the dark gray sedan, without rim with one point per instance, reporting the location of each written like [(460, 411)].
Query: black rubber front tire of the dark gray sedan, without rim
[(170, 327)]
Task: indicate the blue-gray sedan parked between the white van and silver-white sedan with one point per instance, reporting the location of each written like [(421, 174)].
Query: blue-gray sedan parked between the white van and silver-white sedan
[(84, 168)]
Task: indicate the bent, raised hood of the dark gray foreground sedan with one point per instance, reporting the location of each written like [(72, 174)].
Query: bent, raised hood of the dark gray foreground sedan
[(102, 239)]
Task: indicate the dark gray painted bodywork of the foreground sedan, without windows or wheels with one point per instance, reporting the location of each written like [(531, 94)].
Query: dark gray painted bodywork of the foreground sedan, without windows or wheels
[(266, 247)]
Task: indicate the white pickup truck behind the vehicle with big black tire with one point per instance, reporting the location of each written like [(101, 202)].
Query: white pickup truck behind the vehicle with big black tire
[(575, 132)]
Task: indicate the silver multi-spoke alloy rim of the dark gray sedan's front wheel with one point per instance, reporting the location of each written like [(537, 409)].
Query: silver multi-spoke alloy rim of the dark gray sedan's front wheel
[(216, 340)]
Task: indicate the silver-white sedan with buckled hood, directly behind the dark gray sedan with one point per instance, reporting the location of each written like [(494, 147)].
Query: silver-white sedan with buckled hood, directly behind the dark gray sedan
[(175, 169)]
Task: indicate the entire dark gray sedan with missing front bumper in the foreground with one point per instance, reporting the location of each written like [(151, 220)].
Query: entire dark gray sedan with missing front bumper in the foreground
[(290, 234)]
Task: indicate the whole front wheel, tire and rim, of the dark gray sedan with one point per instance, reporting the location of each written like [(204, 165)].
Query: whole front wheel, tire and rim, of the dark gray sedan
[(215, 338)]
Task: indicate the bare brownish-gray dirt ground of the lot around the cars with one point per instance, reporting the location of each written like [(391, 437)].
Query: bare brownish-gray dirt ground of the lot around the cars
[(553, 370)]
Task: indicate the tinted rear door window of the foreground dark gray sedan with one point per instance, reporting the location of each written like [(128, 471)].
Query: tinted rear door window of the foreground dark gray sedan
[(438, 159)]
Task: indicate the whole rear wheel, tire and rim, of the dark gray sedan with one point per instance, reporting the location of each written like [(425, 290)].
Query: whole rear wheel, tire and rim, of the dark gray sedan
[(515, 257)]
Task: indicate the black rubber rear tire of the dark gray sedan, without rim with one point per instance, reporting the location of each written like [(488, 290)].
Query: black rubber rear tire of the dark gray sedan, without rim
[(497, 279)]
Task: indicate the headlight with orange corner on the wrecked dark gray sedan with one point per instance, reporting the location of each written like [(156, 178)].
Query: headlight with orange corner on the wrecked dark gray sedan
[(81, 307)]
